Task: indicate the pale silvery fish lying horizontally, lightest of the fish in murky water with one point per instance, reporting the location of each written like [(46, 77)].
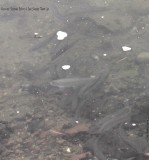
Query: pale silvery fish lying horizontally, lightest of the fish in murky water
[(71, 82)]
